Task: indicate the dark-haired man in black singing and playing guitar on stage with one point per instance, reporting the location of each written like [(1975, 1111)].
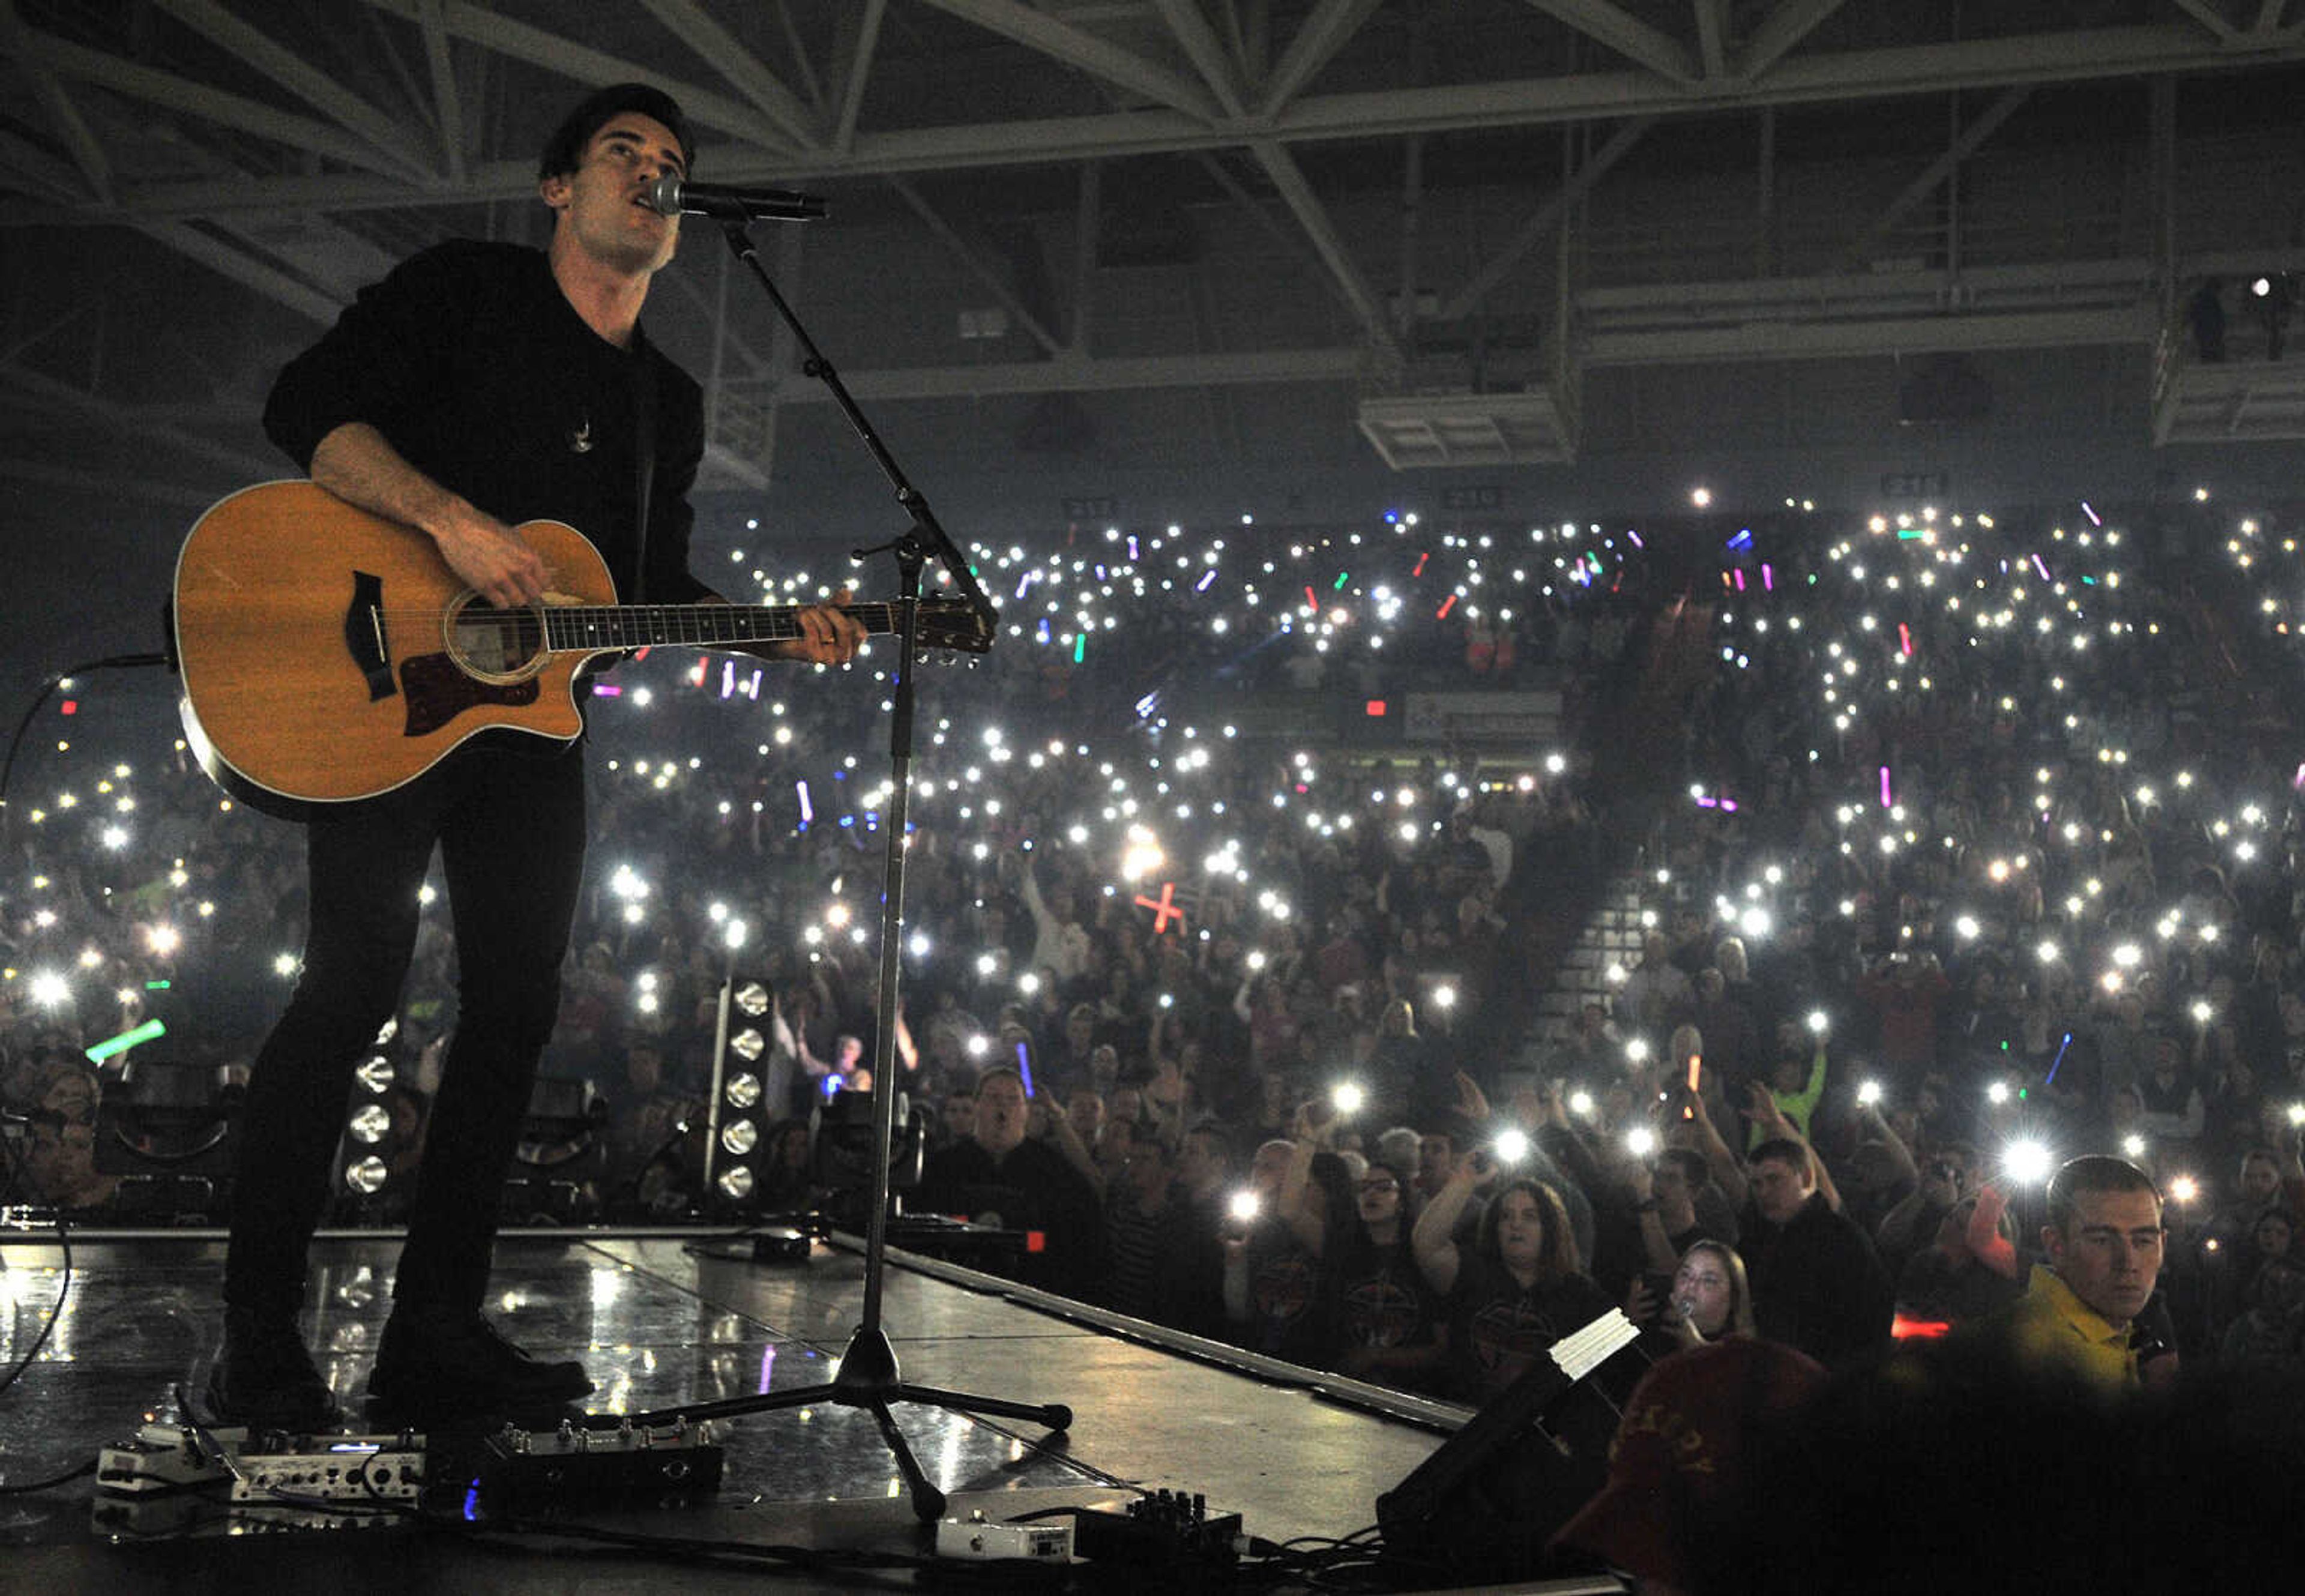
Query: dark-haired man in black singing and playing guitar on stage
[(474, 389)]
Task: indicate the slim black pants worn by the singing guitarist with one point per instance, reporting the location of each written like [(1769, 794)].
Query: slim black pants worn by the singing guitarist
[(511, 831)]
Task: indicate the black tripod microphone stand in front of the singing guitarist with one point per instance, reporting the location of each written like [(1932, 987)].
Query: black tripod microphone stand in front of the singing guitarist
[(868, 1373)]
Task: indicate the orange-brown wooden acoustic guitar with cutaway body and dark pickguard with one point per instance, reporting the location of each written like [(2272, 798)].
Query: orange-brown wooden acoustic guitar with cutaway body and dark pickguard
[(333, 656)]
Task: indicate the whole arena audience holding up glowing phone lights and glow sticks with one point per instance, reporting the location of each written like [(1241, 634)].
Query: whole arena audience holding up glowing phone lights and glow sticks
[(1983, 861)]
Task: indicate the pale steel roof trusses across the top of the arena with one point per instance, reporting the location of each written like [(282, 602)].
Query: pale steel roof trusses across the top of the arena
[(280, 128)]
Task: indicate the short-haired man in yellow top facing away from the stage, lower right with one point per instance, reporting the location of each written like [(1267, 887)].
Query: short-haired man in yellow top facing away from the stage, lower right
[(2106, 1254)]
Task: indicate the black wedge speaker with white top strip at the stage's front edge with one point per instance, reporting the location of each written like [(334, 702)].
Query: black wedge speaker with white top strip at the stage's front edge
[(1483, 1507)]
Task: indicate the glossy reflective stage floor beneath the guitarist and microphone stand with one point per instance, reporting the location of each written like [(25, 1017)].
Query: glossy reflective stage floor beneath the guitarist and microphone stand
[(663, 1327)]
